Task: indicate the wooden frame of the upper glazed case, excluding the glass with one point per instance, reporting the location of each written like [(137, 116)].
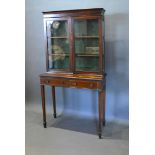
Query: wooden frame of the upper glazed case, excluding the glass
[(70, 16)]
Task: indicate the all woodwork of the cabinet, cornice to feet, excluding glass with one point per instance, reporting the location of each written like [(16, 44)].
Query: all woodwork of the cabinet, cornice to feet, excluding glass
[(70, 77)]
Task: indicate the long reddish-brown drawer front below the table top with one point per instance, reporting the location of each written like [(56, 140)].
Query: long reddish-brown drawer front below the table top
[(72, 83)]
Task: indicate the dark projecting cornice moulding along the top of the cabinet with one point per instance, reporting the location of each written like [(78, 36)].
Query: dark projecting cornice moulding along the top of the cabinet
[(77, 12)]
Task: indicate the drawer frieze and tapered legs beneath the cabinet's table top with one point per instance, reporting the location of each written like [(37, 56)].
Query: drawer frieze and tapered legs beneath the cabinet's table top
[(77, 83)]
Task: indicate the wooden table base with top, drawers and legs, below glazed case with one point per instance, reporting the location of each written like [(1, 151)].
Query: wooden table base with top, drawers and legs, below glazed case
[(77, 81)]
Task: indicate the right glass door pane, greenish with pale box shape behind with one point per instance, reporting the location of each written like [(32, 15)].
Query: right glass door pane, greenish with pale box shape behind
[(86, 45)]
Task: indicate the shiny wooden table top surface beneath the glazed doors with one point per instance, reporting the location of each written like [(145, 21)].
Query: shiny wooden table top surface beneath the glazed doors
[(54, 74)]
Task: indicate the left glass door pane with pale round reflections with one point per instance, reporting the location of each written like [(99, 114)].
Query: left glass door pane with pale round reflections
[(58, 45)]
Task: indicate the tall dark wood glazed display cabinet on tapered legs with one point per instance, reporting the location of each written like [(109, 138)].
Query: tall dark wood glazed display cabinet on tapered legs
[(75, 55)]
